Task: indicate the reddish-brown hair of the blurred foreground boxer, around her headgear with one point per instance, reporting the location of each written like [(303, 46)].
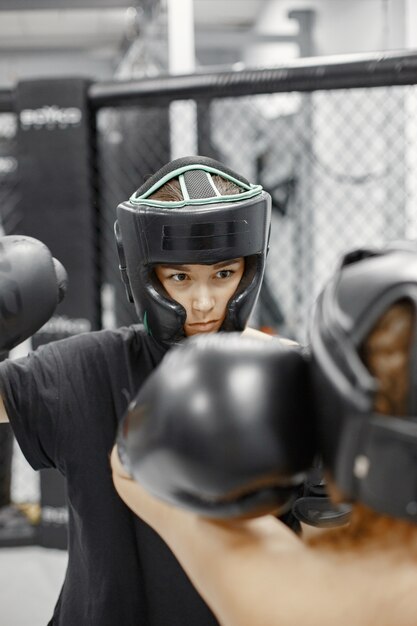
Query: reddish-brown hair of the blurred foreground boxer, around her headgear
[(386, 354)]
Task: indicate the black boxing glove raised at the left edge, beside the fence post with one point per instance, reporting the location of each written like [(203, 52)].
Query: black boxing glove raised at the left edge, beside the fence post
[(32, 283)]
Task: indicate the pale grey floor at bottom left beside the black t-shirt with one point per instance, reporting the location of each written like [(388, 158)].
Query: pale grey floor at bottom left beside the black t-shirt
[(30, 581)]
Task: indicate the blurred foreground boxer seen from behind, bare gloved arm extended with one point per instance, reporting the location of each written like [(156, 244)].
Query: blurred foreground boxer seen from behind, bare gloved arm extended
[(256, 572)]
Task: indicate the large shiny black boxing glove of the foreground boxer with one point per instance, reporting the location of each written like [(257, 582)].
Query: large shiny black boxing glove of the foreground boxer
[(223, 427)]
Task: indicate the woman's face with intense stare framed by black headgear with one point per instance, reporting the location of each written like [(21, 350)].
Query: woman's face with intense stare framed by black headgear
[(203, 291)]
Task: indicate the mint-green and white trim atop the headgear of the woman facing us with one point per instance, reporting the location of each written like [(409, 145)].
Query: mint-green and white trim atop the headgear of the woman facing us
[(250, 190)]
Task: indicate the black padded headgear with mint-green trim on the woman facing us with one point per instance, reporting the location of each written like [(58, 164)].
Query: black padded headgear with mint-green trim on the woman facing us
[(204, 228)]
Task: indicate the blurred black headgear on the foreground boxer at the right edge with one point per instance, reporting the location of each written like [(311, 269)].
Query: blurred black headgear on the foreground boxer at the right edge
[(371, 456)]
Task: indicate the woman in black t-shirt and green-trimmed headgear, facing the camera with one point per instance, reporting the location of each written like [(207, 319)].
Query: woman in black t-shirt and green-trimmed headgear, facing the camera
[(191, 265)]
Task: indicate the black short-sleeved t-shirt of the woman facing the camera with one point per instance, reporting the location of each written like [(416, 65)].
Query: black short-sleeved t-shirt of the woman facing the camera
[(65, 401)]
